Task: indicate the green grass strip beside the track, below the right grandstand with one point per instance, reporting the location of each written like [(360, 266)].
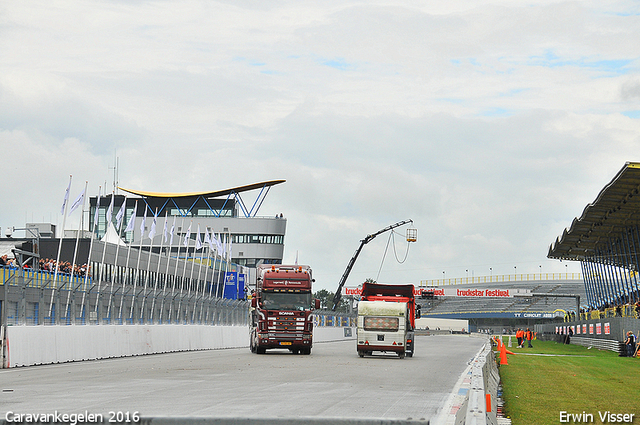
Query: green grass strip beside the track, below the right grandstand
[(537, 388)]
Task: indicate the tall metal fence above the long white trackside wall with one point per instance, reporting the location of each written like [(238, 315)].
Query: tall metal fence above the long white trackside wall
[(40, 298)]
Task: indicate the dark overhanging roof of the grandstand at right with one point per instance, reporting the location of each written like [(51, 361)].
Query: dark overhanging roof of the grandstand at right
[(615, 209)]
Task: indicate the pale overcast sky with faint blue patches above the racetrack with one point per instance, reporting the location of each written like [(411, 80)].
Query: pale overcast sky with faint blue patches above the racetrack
[(490, 124)]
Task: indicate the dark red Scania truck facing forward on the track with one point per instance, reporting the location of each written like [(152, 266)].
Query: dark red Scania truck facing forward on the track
[(281, 309)]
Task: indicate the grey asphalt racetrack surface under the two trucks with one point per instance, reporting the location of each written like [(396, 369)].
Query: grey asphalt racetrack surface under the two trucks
[(332, 382)]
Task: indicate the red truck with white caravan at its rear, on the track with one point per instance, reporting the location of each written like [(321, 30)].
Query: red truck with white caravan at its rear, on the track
[(386, 319)]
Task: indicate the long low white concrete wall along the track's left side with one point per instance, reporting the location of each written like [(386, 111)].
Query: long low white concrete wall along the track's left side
[(34, 345)]
